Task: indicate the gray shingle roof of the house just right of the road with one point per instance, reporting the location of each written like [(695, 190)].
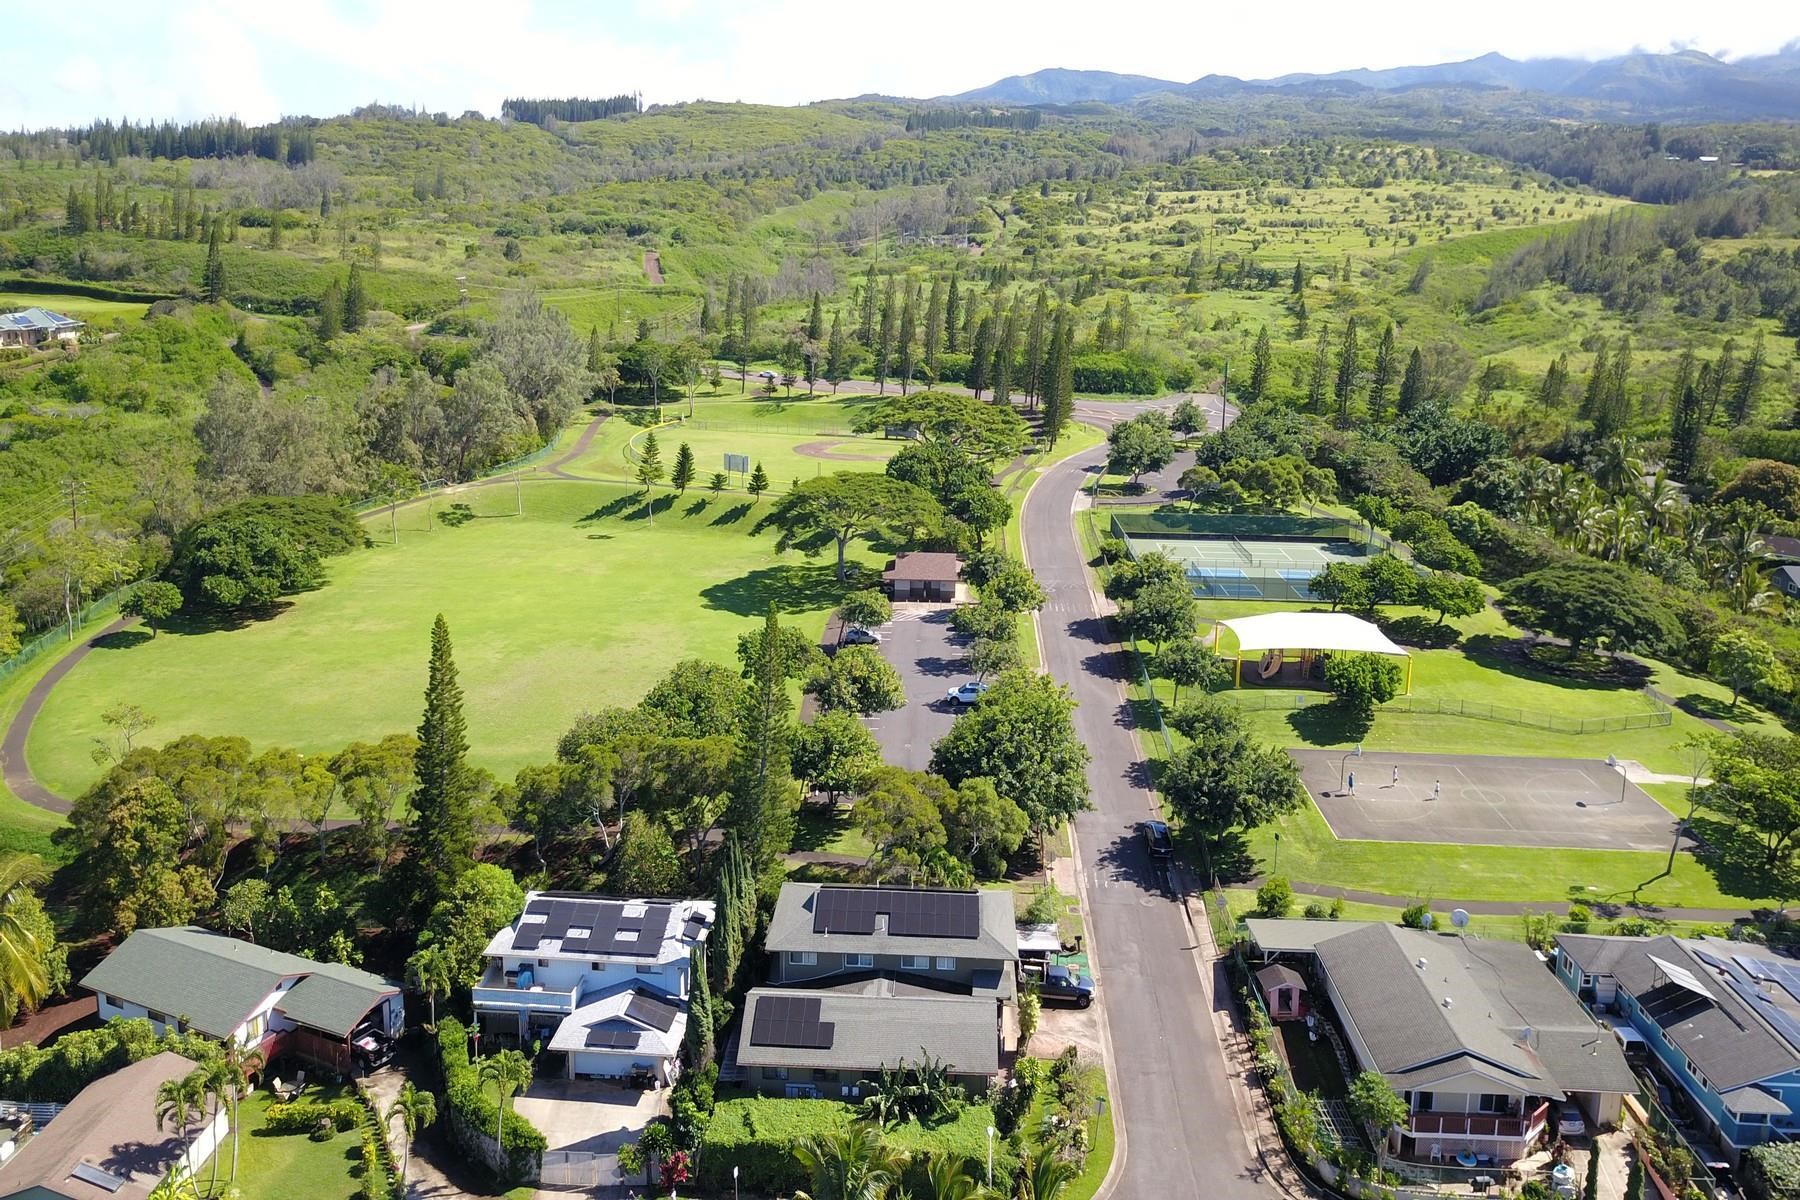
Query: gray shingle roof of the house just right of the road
[(1425, 1001)]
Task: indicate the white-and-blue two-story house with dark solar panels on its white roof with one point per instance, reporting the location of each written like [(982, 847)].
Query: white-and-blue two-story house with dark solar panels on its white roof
[(600, 981)]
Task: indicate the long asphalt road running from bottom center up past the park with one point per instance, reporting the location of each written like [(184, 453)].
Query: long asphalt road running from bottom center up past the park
[(1183, 1131)]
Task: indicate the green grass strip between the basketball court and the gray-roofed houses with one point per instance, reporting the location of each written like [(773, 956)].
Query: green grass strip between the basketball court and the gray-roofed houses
[(1444, 872)]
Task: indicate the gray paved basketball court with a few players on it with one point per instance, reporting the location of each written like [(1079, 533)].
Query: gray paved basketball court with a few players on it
[(1484, 801)]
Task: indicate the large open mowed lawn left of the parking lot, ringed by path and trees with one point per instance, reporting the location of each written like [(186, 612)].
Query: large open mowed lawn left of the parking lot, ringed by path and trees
[(580, 604)]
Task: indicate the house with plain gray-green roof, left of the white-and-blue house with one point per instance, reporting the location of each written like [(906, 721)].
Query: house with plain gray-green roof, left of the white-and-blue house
[(231, 990)]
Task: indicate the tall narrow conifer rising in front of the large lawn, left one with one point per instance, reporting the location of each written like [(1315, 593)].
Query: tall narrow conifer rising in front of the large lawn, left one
[(442, 839)]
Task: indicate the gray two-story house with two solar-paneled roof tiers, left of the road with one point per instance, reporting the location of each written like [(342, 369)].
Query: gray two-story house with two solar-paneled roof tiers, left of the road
[(868, 978)]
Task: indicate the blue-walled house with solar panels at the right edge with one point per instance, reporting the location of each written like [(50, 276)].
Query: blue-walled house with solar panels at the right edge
[(1722, 1021)]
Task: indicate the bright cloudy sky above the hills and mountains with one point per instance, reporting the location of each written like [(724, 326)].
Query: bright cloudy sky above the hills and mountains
[(256, 60)]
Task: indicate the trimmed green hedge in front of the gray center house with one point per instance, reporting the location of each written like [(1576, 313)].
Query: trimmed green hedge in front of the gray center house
[(759, 1136)]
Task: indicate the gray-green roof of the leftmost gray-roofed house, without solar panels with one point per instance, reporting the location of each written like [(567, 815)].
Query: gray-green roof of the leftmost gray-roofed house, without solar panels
[(217, 981)]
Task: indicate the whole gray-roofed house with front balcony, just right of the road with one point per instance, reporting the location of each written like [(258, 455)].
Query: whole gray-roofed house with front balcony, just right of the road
[(1477, 1035)]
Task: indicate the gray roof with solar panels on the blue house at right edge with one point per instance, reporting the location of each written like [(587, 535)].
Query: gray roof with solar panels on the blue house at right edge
[(1727, 1039)]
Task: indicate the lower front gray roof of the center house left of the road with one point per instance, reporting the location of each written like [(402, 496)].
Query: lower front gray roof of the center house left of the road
[(874, 1030)]
